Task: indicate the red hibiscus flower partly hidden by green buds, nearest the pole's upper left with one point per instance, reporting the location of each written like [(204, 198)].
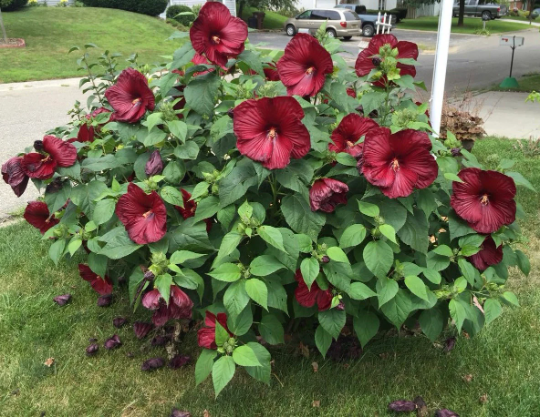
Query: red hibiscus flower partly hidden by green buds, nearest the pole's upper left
[(367, 61)]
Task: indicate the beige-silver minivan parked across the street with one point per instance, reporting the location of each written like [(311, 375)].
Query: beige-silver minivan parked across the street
[(340, 23)]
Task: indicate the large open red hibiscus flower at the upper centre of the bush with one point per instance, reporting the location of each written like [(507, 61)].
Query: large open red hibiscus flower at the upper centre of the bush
[(270, 131)]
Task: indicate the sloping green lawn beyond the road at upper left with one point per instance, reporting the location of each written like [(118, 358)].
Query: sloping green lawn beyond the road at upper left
[(50, 32)]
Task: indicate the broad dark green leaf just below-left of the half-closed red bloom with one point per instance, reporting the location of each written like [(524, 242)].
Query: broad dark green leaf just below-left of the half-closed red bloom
[(300, 218)]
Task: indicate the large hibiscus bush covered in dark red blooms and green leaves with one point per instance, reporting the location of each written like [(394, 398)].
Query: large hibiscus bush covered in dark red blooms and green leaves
[(259, 194)]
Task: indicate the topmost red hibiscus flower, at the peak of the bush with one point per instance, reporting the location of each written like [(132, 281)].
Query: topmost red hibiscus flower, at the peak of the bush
[(218, 35)]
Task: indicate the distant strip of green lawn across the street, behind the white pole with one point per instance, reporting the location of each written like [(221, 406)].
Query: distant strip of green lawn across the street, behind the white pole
[(471, 25)]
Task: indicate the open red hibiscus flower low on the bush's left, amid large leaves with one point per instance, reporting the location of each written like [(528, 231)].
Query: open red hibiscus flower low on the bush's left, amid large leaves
[(143, 215)]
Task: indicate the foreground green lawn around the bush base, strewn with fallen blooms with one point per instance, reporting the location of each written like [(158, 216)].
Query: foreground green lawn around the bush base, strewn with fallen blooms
[(503, 360)]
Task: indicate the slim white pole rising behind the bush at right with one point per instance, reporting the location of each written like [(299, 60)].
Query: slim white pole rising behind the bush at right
[(441, 62)]
